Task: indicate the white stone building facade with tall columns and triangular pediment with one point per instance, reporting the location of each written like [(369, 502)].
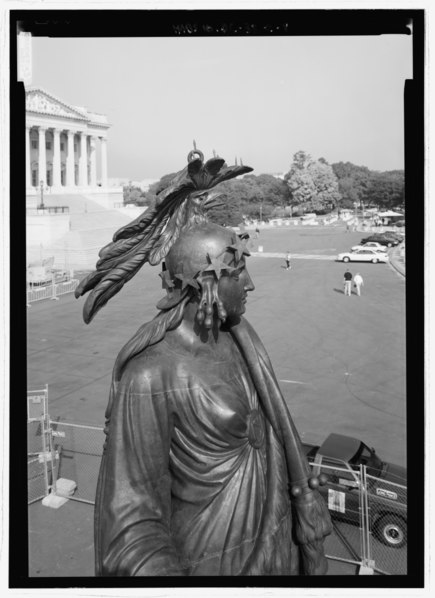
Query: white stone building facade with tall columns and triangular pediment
[(62, 144)]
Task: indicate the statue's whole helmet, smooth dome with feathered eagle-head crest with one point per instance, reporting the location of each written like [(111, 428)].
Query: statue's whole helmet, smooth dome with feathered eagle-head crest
[(180, 206)]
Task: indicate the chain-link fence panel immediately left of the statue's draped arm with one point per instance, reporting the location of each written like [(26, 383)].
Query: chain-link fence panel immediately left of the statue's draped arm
[(80, 448)]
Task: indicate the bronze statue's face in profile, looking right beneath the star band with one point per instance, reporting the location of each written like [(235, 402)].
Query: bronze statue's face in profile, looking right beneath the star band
[(233, 291)]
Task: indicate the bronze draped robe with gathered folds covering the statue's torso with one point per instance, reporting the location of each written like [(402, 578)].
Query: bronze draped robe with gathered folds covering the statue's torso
[(194, 479)]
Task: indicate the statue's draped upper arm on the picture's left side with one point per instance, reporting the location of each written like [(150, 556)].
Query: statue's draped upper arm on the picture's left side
[(135, 494)]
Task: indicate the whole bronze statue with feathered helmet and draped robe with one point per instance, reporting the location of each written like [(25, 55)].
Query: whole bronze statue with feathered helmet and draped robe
[(203, 472)]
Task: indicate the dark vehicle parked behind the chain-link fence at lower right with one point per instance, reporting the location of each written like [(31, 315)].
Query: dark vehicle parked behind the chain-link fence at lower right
[(339, 459)]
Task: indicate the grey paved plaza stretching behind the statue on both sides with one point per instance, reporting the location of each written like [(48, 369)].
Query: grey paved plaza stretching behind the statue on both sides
[(340, 360)]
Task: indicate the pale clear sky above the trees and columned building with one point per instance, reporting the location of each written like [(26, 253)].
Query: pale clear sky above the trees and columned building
[(261, 99)]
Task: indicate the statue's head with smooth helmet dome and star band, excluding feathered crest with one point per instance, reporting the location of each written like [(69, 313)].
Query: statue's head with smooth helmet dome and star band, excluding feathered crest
[(208, 263)]
